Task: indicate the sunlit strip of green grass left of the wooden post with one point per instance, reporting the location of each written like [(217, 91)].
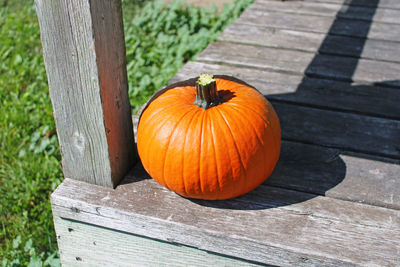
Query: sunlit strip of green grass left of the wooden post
[(29, 154)]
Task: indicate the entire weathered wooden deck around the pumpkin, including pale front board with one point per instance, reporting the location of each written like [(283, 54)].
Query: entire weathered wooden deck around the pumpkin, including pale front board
[(331, 69)]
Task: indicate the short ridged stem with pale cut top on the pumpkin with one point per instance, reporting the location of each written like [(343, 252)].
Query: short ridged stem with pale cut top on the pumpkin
[(207, 95)]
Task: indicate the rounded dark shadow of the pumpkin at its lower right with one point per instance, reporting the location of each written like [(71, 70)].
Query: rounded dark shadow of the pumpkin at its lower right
[(301, 178)]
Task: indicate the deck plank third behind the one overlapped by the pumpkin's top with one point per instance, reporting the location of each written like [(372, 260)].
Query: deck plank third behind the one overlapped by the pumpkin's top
[(339, 26)]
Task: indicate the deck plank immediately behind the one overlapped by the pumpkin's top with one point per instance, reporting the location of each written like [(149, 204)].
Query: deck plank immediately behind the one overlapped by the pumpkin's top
[(297, 62)]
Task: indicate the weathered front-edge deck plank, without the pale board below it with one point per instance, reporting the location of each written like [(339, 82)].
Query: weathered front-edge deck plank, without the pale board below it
[(325, 232)]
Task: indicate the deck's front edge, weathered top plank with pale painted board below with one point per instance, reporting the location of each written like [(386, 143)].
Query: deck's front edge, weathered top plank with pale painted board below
[(269, 226)]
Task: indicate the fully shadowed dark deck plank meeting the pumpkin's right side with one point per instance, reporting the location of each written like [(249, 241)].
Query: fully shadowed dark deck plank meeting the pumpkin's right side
[(345, 131)]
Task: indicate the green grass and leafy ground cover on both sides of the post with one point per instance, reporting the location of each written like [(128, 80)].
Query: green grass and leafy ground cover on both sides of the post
[(159, 39)]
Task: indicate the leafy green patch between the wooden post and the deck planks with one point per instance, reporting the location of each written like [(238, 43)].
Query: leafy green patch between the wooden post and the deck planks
[(163, 37)]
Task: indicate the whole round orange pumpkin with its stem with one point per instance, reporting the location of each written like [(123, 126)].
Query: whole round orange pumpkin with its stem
[(209, 138)]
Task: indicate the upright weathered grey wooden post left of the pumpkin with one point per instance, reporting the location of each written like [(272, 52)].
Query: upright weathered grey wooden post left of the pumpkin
[(84, 53)]
